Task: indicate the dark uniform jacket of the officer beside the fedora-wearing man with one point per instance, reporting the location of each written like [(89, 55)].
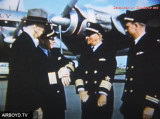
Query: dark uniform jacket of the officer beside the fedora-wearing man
[(52, 94)]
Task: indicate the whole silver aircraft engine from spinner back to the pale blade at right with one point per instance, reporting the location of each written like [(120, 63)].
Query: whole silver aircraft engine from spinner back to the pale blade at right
[(75, 22)]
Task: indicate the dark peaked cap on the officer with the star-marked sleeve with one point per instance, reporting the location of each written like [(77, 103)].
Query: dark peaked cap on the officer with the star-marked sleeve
[(93, 28)]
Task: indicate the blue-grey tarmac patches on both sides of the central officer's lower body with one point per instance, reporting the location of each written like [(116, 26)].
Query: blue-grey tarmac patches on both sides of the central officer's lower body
[(73, 102)]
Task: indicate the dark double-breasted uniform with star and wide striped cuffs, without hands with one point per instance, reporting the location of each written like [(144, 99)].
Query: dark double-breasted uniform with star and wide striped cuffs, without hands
[(95, 74)]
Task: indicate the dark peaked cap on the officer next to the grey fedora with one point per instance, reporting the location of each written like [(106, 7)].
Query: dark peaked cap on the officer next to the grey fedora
[(49, 32)]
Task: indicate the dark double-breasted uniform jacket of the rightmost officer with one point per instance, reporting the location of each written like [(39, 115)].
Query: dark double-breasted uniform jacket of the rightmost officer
[(142, 72)]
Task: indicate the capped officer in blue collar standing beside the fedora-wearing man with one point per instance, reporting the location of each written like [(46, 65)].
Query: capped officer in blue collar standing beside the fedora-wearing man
[(53, 73)]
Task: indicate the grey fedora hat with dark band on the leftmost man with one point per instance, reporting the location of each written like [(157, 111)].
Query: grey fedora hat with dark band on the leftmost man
[(37, 15)]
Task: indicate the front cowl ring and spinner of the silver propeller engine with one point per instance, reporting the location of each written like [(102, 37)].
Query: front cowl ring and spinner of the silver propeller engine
[(73, 23)]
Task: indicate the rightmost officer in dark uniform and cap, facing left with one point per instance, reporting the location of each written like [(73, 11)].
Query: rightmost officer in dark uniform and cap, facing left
[(142, 69)]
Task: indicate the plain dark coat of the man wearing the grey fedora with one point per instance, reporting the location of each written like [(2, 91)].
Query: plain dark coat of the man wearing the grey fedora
[(22, 91)]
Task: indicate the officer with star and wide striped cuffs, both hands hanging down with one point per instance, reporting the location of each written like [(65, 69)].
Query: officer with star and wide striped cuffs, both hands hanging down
[(94, 75)]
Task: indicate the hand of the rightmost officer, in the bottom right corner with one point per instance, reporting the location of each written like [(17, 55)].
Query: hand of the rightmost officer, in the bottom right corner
[(148, 113)]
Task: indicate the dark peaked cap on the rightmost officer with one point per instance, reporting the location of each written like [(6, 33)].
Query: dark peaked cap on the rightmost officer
[(135, 16)]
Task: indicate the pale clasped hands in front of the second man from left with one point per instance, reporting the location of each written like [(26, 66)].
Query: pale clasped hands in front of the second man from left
[(64, 75)]
